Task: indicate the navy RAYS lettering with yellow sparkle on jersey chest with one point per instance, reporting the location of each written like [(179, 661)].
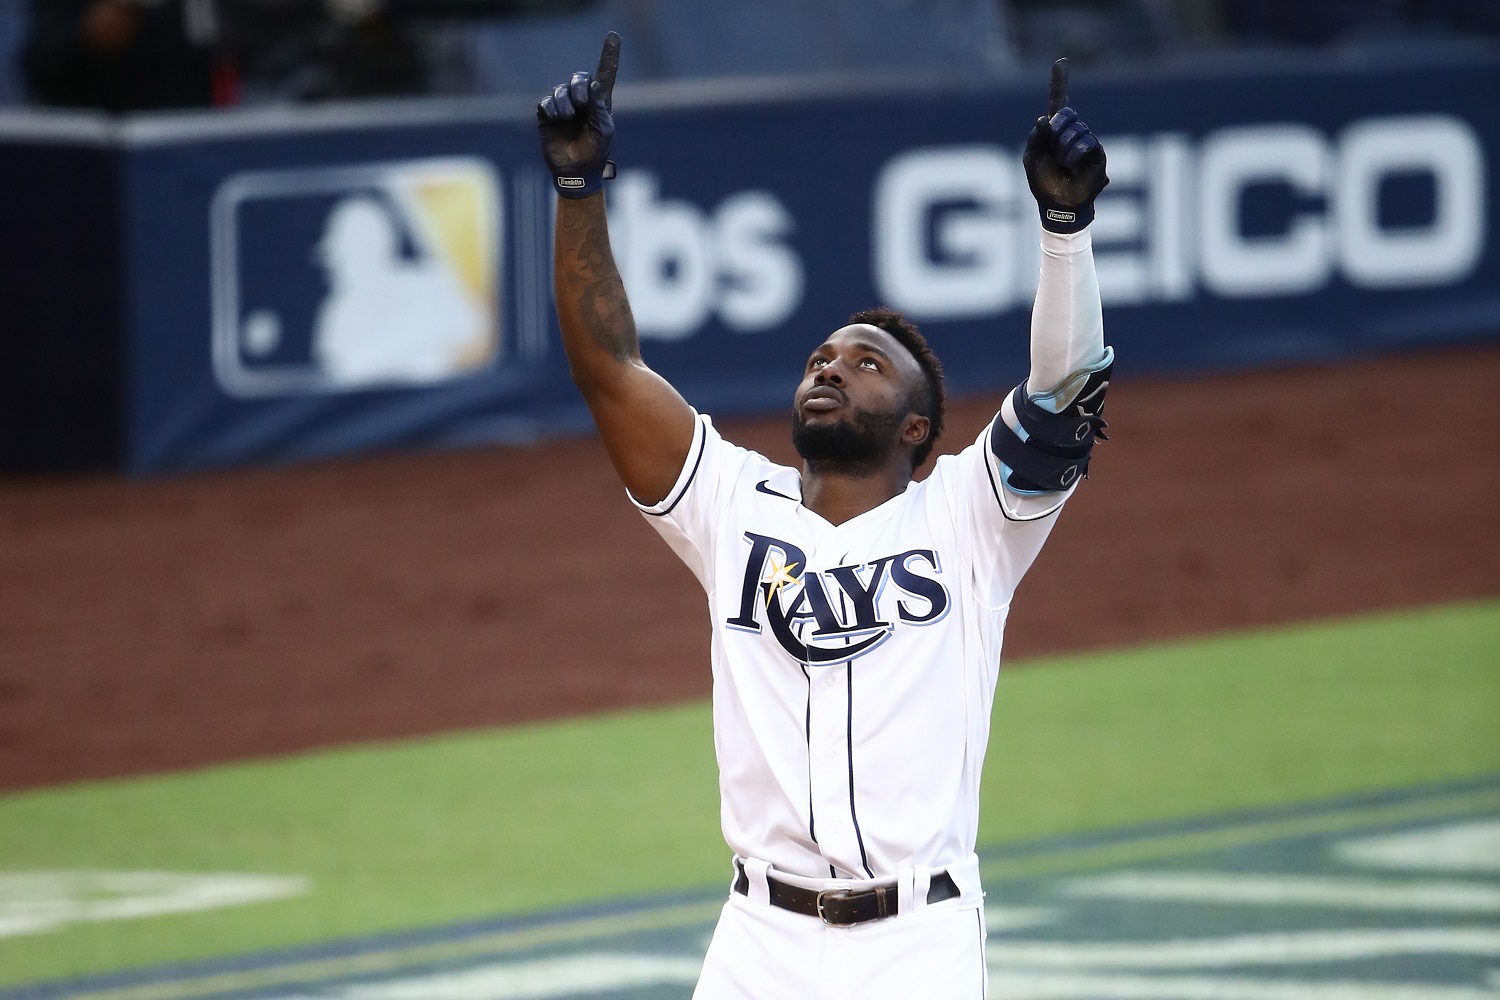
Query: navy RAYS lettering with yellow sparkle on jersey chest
[(838, 614)]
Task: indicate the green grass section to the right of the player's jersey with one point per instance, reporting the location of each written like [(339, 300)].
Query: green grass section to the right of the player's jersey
[(1244, 720)]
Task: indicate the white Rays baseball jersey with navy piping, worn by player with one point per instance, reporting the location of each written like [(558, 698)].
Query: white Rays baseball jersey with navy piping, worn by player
[(854, 665)]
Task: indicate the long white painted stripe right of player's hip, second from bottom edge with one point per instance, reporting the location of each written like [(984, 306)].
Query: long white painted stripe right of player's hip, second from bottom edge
[(1249, 950)]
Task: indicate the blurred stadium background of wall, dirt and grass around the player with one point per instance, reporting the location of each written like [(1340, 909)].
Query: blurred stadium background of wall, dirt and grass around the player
[(335, 665)]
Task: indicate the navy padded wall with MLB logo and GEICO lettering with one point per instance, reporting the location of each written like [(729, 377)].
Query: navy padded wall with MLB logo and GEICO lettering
[(263, 287)]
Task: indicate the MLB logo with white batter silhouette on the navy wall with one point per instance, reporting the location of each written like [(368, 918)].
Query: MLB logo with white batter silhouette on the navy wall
[(356, 278)]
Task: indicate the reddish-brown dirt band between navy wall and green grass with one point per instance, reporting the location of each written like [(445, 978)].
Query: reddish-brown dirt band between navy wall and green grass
[(176, 623)]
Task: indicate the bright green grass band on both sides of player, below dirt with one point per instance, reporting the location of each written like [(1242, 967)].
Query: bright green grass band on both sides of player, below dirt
[(532, 818)]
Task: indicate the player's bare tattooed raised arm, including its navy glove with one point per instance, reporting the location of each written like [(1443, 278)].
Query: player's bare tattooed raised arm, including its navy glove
[(646, 425)]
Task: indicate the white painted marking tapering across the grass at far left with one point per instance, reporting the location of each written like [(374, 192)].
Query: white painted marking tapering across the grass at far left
[(38, 902)]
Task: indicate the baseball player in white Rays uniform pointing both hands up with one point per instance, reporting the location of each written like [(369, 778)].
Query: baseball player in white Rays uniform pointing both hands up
[(856, 614)]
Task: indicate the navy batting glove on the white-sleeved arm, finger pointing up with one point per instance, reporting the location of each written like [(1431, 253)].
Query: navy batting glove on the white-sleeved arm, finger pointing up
[(1064, 163)]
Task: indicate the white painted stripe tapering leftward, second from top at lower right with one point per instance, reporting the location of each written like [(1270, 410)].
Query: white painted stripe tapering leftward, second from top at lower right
[(1252, 890)]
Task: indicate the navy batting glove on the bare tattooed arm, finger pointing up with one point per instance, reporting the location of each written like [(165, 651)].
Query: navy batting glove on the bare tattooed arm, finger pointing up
[(578, 128)]
